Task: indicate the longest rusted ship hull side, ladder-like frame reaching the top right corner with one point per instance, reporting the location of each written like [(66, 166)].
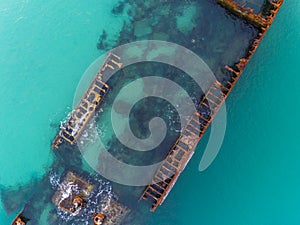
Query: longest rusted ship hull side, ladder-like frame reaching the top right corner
[(181, 152)]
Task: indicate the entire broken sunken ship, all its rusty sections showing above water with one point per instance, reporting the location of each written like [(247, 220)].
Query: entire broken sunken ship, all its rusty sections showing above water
[(75, 193)]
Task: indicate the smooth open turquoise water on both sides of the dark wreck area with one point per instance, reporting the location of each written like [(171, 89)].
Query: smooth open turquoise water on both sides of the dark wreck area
[(45, 48)]
